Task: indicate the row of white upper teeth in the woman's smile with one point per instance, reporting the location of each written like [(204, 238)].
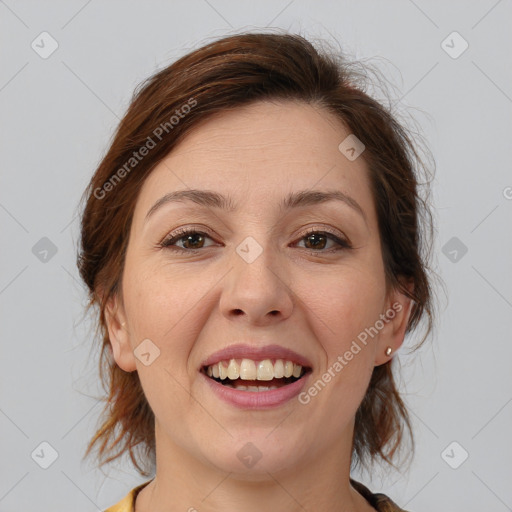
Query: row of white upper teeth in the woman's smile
[(248, 369)]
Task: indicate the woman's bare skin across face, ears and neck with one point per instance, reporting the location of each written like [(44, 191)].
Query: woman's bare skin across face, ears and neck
[(191, 305)]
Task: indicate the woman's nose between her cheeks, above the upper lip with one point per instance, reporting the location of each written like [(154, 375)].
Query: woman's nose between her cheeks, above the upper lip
[(256, 290)]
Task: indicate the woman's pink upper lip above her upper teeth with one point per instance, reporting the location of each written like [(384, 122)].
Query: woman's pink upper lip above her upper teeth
[(246, 351)]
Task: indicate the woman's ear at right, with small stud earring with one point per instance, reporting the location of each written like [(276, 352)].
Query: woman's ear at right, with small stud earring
[(398, 310)]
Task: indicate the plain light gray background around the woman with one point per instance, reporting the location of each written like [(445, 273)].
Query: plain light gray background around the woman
[(57, 117)]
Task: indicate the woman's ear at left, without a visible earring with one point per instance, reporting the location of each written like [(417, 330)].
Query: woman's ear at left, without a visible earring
[(119, 335)]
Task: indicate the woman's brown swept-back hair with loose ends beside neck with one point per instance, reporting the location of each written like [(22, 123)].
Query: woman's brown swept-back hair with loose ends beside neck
[(222, 75)]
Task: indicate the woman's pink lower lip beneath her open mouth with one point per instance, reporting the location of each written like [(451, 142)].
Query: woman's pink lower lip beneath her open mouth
[(257, 399)]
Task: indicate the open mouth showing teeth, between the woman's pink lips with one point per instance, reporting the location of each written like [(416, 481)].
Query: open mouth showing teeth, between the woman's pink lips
[(255, 376)]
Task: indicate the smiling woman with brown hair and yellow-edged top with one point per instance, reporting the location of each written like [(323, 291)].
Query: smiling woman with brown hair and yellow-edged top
[(252, 242)]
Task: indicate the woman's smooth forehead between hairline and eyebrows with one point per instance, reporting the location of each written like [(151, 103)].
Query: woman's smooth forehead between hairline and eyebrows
[(260, 152)]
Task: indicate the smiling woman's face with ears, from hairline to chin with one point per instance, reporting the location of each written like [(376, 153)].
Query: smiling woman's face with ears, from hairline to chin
[(263, 270)]
